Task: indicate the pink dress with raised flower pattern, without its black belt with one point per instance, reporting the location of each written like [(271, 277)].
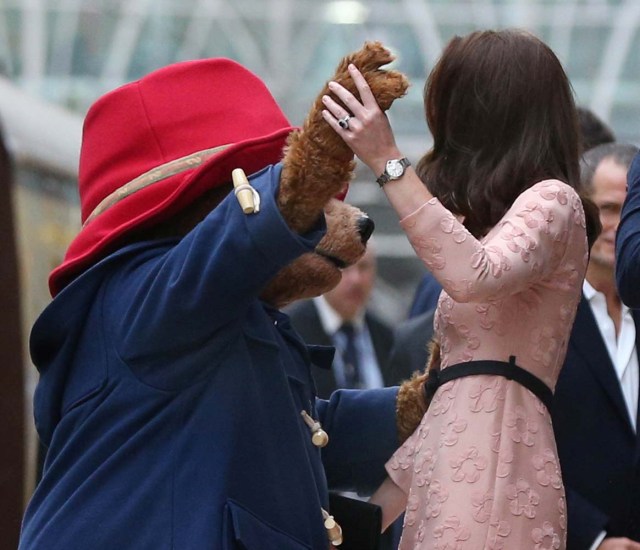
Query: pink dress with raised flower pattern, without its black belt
[(481, 471)]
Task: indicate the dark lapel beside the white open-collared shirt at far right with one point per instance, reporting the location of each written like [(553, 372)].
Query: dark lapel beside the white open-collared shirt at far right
[(593, 352)]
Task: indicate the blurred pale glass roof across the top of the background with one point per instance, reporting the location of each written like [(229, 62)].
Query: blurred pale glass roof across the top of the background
[(71, 51)]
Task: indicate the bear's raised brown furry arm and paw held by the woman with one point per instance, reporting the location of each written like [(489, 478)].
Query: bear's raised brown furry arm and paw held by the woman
[(317, 162)]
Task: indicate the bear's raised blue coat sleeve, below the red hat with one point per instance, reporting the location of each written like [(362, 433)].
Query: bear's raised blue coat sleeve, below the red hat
[(182, 295)]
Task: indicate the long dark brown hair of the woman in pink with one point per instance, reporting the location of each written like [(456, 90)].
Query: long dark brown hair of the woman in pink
[(502, 114)]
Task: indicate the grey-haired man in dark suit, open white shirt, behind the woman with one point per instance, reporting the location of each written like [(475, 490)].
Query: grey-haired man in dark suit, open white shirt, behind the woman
[(595, 412)]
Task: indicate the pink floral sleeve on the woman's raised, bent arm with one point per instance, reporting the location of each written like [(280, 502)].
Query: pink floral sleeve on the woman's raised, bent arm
[(525, 246)]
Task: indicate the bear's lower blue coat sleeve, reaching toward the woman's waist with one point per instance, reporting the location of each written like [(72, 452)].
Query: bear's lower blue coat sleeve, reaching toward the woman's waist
[(362, 437)]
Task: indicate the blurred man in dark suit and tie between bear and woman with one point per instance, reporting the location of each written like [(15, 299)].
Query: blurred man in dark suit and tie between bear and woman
[(340, 318)]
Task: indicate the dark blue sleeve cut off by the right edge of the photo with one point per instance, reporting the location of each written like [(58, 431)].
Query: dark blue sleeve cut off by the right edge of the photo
[(628, 241)]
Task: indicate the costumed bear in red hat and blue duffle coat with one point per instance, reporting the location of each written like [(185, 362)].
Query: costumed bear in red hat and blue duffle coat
[(175, 400)]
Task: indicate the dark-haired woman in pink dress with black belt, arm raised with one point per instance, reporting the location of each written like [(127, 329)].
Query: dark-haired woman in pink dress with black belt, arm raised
[(502, 227)]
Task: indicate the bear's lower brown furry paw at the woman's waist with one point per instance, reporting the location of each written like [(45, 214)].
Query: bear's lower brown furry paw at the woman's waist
[(412, 401)]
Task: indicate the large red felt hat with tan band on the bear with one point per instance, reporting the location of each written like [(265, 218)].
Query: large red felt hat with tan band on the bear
[(150, 147)]
